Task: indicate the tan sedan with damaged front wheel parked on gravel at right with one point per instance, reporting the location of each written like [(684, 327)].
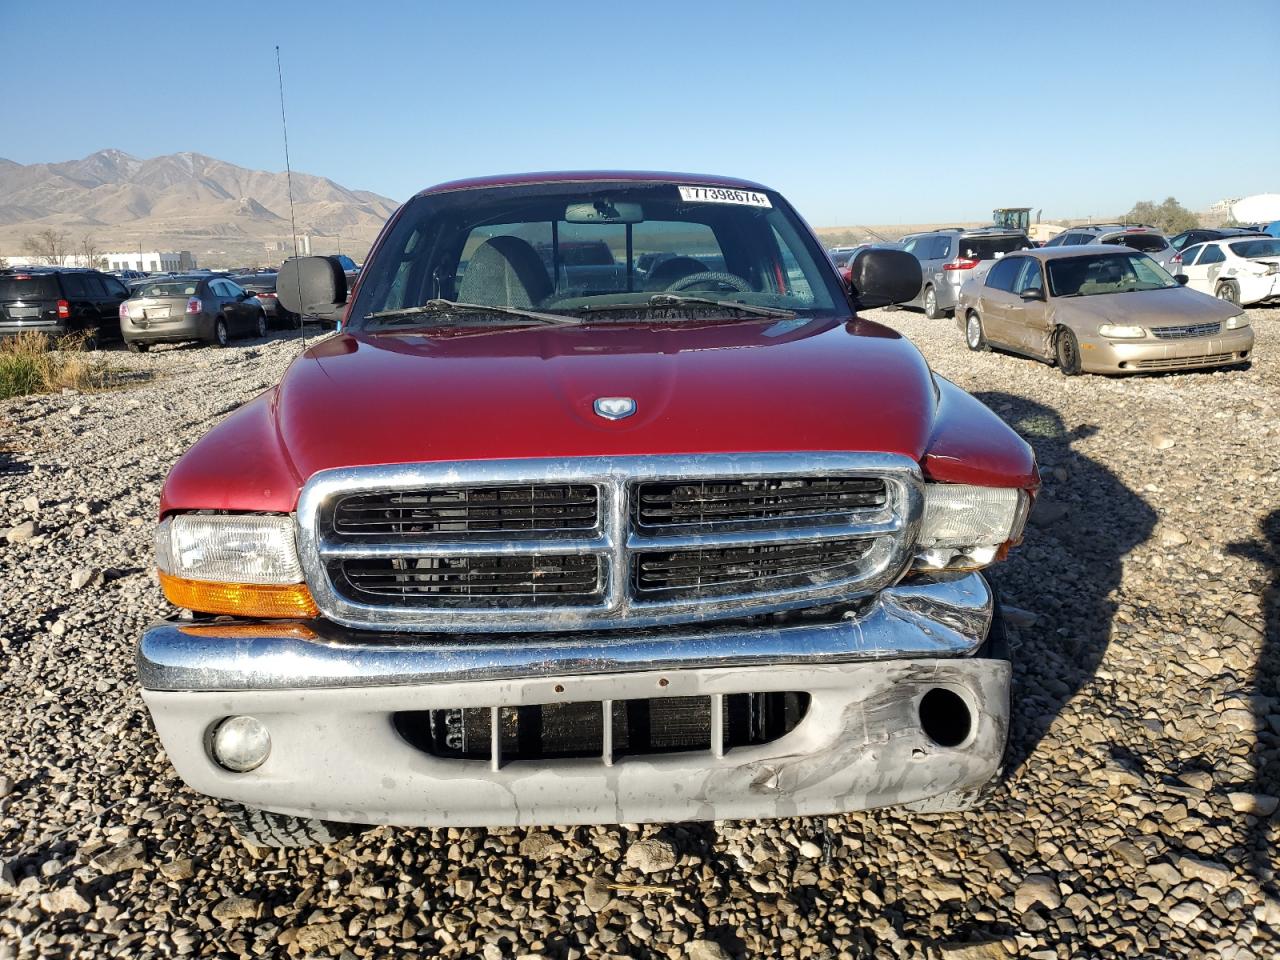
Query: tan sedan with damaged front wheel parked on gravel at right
[(1100, 310)]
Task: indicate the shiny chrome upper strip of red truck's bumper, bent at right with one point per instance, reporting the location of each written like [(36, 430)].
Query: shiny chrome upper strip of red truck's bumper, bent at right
[(936, 619)]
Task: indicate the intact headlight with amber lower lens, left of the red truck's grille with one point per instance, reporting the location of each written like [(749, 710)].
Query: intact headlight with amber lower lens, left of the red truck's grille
[(240, 565)]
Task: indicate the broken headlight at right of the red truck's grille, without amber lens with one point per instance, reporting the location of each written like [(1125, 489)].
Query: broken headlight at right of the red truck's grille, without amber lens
[(964, 527)]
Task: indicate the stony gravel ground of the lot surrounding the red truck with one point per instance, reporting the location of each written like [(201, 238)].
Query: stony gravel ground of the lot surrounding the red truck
[(1136, 820)]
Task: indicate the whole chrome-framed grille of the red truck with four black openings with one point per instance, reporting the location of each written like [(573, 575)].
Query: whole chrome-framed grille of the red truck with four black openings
[(568, 545)]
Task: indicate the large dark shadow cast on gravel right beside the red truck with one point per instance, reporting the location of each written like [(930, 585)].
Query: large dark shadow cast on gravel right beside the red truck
[(1068, 573)]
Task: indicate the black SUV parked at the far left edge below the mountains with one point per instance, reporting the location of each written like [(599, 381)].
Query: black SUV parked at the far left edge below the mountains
[(61, 300)]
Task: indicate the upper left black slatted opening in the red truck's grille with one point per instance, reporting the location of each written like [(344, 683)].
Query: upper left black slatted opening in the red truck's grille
[(450, 511)]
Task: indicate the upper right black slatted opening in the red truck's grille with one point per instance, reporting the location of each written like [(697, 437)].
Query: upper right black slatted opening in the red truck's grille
[(756, 501)]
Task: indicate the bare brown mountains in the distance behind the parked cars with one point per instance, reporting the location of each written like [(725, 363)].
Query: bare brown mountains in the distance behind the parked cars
[(223, 213)]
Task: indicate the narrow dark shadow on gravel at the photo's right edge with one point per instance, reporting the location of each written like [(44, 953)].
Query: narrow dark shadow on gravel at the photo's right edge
[(1265, 693)]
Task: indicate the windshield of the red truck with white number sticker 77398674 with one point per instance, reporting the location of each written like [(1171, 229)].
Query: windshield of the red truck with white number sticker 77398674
[(592, 250)]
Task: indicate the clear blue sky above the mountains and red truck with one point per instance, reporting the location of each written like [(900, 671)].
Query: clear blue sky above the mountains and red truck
[(860, 113)]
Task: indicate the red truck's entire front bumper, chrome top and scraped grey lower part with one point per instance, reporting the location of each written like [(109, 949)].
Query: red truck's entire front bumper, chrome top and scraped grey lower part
[(328, 698)]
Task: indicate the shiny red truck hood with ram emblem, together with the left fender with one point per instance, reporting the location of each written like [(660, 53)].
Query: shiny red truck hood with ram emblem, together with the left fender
[(529, 392)]
